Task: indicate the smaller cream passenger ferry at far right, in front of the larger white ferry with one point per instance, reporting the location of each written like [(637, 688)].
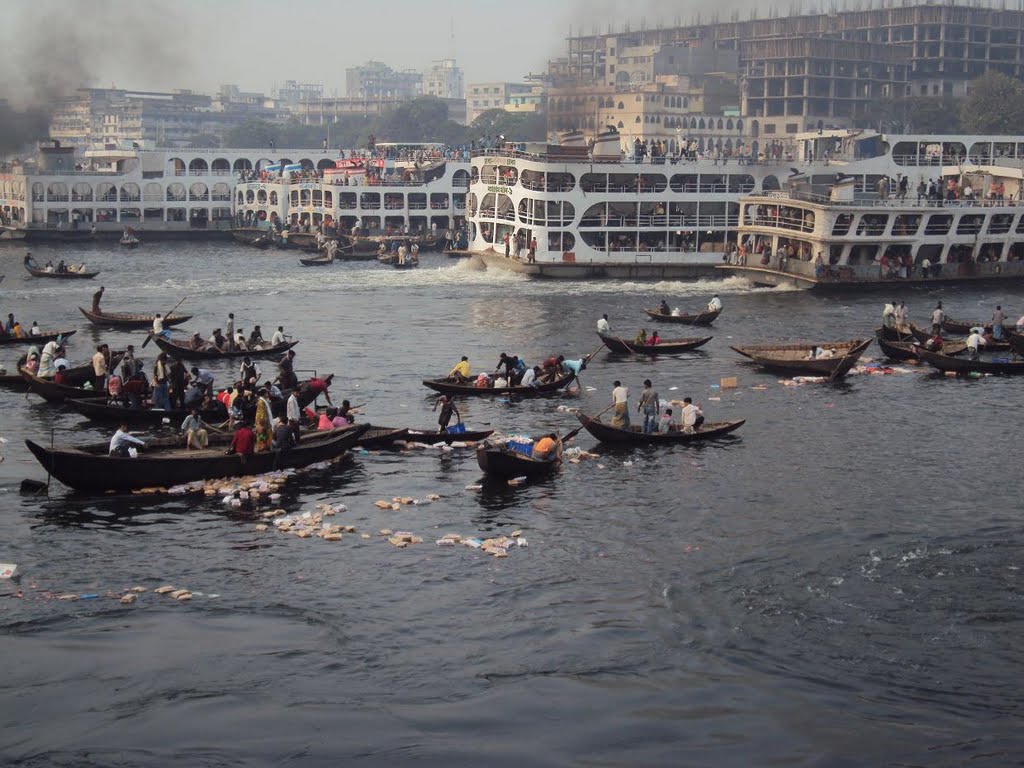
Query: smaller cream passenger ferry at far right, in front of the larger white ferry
[(968, 229)]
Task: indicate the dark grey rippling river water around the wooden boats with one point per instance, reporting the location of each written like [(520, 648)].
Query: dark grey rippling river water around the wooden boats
[(839, 585)]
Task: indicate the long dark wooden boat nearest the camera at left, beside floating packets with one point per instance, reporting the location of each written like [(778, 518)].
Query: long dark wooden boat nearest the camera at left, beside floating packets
[(92, 470)]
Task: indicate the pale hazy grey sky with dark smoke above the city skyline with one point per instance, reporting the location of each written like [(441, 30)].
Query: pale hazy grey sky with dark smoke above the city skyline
[(199, 45)]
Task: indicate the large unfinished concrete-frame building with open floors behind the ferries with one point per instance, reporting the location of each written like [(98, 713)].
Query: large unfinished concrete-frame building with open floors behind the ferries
[(821, 70)]
